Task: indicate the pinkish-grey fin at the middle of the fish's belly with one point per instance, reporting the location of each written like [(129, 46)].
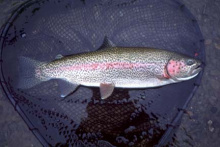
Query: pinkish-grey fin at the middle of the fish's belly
[(106, 90)]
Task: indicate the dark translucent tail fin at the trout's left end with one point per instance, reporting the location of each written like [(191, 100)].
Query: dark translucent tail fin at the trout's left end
[(27, 78)]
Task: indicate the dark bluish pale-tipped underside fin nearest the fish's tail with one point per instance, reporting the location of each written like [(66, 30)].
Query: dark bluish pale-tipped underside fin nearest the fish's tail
[(66, 87)]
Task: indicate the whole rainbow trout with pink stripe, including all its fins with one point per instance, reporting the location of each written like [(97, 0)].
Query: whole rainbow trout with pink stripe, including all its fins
[(110, 67)]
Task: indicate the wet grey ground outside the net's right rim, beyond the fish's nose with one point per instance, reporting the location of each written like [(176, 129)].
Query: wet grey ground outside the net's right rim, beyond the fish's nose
[(200, 125)]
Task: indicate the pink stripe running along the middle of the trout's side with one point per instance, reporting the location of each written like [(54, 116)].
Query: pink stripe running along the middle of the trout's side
[(104, 66)]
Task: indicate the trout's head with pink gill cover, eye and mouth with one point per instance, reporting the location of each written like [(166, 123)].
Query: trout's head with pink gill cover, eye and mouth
[(181, 68)]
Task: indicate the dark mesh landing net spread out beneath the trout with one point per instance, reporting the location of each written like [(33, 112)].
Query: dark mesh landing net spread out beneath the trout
[(42, 29)]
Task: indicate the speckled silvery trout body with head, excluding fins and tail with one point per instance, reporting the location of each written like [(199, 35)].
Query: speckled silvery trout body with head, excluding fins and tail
[(123, 67)]
